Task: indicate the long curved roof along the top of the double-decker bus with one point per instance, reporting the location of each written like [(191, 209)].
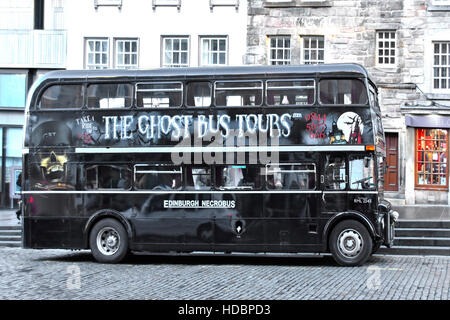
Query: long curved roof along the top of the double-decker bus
[(328, 69)]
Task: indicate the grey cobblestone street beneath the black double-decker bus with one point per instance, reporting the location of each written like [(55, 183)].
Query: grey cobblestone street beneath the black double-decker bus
[(60, 274)]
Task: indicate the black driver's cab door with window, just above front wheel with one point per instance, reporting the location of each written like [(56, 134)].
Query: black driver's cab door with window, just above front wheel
[(334, 181)]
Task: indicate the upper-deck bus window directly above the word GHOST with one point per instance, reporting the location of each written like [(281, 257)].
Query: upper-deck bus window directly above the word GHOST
[(159, 94)]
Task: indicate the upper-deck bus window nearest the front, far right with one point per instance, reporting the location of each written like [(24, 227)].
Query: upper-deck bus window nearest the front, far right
[(342, 91)]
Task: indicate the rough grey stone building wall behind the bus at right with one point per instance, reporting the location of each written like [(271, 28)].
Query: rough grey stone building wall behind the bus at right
[(349, 28)]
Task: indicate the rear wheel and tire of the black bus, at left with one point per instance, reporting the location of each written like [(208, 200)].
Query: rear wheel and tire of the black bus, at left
[(108, 241)]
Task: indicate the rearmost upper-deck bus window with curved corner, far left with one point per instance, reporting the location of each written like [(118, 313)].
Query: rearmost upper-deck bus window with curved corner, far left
[(62, 96)]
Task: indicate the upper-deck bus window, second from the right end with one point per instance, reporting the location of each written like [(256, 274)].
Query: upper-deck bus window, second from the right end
[(290, 92)]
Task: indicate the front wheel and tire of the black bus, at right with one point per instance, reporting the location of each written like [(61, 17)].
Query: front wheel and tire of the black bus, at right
[(350, 243)]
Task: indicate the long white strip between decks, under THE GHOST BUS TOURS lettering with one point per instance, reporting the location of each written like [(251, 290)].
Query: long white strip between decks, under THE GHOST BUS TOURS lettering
[(195, 149)]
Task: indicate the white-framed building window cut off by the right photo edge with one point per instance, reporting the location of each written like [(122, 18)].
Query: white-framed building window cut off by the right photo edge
[(441, 65)]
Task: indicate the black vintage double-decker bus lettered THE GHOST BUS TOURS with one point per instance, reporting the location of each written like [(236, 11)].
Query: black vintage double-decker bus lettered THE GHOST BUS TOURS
[(285, 159)]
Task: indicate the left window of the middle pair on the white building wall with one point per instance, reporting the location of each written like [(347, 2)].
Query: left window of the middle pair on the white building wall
[(176, 52)]
